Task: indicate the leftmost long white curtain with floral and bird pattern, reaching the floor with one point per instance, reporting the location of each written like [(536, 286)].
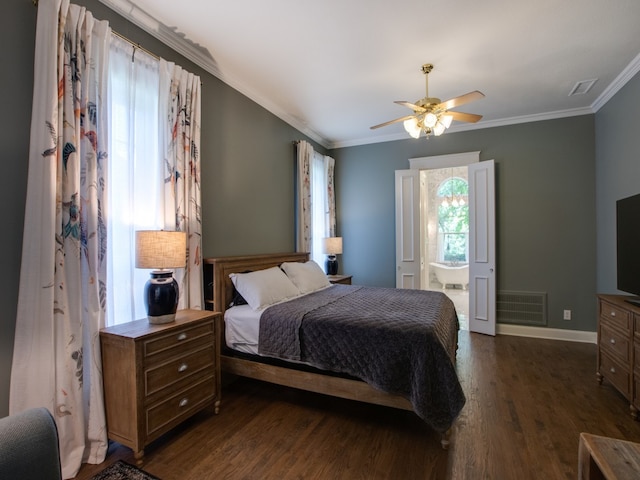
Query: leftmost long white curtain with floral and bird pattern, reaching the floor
[(56, 358)]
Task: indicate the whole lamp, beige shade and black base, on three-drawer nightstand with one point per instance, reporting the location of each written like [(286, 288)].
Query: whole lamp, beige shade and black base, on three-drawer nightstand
[(161, 250)]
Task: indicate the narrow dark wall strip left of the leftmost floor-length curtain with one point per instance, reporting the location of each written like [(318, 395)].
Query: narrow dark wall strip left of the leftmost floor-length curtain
[(17, 27)]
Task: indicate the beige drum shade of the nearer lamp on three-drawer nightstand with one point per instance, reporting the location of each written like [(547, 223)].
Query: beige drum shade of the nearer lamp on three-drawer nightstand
[(161, 249)]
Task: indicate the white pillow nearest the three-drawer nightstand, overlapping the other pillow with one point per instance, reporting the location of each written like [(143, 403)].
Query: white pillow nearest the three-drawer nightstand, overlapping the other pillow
[(264, 287)]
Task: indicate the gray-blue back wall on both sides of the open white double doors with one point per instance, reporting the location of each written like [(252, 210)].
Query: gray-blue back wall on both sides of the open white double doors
[(545, 197)]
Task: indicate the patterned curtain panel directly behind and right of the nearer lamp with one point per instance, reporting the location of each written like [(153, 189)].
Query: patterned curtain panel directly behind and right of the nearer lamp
[(180, 112)]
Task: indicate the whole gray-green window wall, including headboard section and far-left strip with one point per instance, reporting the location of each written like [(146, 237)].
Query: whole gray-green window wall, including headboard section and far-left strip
[(247, 183)]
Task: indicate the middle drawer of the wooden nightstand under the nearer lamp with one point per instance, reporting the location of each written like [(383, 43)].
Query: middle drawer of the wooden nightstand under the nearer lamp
[(172, 373)]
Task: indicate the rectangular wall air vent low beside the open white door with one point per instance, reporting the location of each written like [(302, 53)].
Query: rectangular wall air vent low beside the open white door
[(522, 308)]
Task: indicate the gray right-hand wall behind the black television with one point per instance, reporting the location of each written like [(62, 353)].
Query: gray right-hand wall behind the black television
[(617, 172)]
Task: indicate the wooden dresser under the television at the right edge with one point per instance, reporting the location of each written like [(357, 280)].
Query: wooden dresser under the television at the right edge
[(619, 347)]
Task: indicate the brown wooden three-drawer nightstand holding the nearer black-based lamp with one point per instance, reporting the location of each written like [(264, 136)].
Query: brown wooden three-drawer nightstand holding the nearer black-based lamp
[(157, 376)]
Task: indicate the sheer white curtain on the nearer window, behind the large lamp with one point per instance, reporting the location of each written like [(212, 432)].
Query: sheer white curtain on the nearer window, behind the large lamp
[(136, 170)]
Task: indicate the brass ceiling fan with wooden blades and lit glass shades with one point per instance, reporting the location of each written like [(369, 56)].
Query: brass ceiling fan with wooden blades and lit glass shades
[(430, 115)]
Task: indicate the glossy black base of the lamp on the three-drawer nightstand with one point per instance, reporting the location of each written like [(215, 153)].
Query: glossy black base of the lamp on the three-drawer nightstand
[(161, 297)]
